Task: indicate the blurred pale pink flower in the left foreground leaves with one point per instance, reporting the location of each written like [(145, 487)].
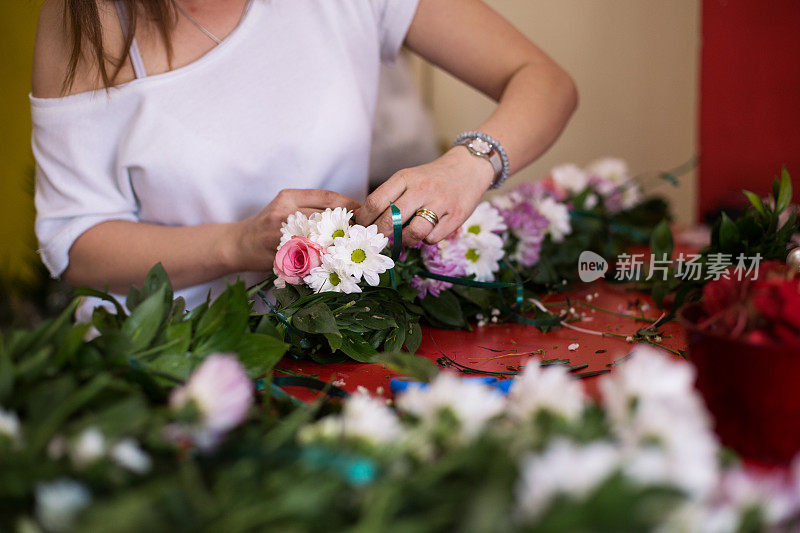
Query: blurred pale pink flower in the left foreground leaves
[(222, 393)]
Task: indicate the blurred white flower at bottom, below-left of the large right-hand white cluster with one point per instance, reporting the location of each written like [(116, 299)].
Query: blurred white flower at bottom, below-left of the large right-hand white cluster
[(563, 468)]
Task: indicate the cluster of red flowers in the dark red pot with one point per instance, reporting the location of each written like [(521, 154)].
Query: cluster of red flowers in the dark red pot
[(758, 308)]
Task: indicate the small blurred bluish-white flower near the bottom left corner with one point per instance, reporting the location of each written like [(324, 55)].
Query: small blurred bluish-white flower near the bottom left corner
[(59, 502)]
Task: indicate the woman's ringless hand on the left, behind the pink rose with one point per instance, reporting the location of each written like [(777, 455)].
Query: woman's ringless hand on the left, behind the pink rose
[(257, 237)]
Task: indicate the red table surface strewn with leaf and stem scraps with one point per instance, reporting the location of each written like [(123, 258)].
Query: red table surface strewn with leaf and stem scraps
[(499, 346)]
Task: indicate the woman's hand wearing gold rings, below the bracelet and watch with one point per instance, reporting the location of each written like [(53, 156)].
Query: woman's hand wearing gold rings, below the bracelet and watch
[(450, 186)]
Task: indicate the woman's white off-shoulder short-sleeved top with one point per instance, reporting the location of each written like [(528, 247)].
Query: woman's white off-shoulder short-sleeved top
[(286, 101)]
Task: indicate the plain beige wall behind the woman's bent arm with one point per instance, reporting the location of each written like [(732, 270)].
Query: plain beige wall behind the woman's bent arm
[(635, 63)]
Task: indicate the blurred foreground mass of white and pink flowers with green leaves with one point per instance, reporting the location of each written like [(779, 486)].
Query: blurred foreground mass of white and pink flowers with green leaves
[(172, 437)]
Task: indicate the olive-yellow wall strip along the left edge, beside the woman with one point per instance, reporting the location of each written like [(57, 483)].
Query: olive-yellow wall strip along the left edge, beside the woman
[(17, 31)]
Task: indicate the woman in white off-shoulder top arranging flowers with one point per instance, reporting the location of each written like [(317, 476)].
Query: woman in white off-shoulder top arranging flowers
[(185, 131)]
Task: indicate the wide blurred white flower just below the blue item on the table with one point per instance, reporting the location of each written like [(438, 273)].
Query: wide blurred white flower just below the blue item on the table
[(473, 404)]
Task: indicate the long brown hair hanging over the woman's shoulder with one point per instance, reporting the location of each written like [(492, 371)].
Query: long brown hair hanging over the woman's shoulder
[(82, 18)]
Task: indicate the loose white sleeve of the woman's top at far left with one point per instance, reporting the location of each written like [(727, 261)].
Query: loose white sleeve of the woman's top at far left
[(78, 184)]
